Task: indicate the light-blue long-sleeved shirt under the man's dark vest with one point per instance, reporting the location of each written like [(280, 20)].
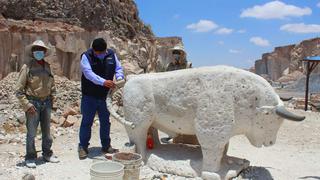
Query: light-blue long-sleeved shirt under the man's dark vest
[(93, 77)]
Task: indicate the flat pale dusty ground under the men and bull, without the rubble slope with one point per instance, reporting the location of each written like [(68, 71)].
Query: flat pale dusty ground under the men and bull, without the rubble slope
[(296, 155)]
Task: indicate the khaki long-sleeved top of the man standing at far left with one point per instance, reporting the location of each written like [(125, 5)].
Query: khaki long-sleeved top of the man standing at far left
[(35, 81)]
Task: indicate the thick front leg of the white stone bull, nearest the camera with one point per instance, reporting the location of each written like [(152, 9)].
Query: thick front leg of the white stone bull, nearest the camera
[(214, 123)]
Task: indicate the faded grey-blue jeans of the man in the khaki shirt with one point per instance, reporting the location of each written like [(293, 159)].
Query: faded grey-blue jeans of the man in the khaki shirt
[(42, 116)]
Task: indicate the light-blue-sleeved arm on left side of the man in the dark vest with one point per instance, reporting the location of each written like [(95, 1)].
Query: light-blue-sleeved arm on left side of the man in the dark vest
[(88, 73)]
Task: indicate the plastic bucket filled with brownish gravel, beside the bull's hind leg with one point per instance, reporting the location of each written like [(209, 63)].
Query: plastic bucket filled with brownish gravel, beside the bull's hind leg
[(132, 163)]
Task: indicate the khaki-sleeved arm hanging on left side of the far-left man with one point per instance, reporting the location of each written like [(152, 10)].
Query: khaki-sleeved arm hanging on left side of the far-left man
[(20, 89)]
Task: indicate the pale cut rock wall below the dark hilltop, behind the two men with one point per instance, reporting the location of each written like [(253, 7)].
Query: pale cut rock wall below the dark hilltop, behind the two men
[(68, 42)]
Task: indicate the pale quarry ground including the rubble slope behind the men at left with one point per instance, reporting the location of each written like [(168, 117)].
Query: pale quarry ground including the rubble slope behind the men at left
[(294, 156)]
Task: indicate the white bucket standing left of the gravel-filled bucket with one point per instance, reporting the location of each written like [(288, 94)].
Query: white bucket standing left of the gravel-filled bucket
[(106, 170)]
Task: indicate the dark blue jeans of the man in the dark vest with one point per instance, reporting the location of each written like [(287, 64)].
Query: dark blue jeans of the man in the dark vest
[(89, 107)]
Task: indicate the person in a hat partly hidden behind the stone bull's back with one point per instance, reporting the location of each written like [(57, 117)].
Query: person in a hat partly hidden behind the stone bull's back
[(179, 59)]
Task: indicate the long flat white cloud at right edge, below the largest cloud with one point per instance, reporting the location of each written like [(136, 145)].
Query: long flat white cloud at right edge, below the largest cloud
[(301, 28)]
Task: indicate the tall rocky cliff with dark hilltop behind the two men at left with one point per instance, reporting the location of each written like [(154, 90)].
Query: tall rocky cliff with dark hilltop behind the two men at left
[(70, 28)]
